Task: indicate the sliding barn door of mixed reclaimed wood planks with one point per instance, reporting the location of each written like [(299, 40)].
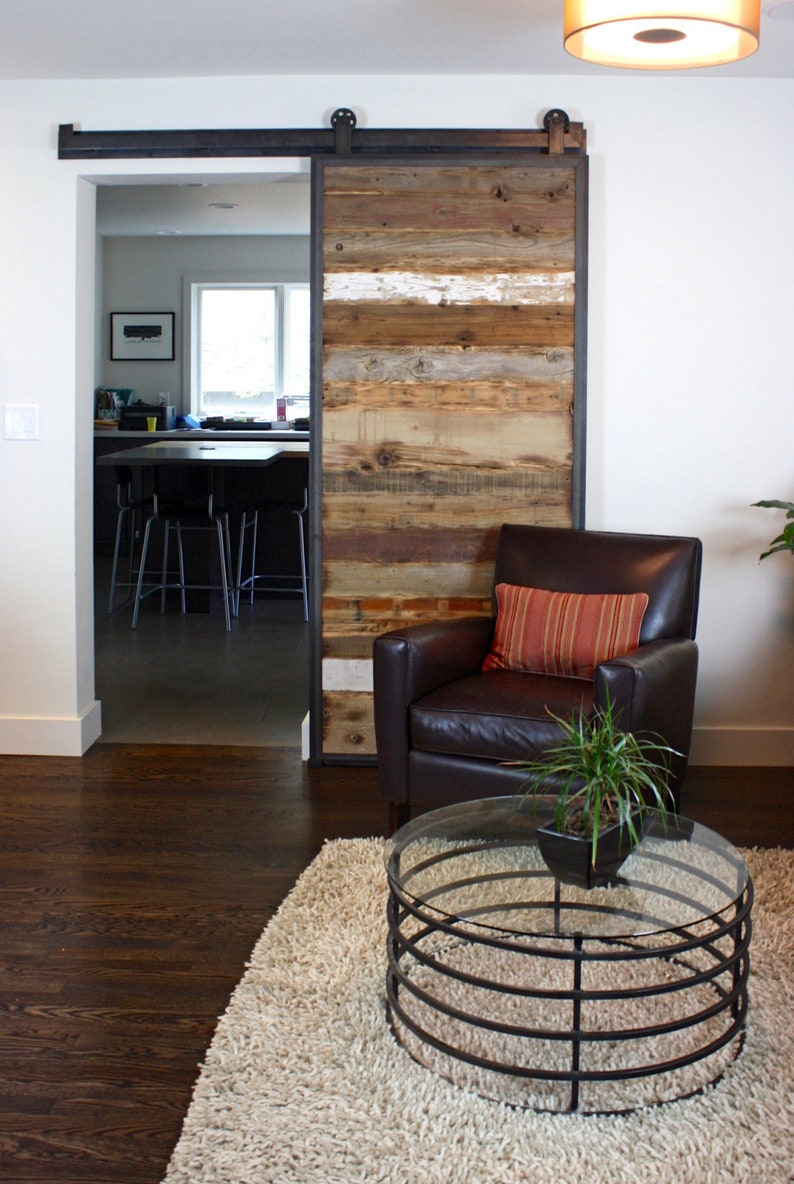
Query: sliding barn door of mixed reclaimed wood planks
[(453, 394)]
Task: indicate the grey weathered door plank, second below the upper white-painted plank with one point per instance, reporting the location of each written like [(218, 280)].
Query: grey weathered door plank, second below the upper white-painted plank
[(450, 364)]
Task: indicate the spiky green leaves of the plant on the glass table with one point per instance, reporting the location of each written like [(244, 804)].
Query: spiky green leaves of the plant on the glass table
[(602, 776)]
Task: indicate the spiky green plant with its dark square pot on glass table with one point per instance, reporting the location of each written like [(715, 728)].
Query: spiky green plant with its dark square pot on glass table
[(608, 784)]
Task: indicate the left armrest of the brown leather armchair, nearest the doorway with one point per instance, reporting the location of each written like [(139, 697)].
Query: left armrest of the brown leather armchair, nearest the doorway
[(408, 665)]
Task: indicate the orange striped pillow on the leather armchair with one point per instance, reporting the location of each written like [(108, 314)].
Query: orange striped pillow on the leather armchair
[(563, 633)]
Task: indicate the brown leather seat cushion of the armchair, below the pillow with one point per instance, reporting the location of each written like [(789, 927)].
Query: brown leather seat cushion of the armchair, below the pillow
[(500, 715)]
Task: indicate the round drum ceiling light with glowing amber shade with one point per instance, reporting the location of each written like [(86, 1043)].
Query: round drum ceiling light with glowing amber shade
[(643, 35)]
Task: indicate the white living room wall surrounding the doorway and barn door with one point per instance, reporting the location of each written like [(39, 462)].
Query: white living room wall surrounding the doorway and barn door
[(690, 407)]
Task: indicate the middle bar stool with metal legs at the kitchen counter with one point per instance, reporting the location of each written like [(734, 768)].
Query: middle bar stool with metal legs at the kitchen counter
[(179, 516)]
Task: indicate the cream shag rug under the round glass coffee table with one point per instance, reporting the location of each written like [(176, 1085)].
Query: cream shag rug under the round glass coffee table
[(306, 1084)]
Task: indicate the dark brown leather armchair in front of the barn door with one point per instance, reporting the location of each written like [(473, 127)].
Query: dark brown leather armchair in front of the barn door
[(444, 728)]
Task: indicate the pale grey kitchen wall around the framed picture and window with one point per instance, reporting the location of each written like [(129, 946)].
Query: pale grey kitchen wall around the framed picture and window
[(146, 274)]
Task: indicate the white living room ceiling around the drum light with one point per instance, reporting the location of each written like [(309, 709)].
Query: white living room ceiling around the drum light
[(195, 38)]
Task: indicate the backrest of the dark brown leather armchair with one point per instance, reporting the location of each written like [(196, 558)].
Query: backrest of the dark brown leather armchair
[(667, 569)]
